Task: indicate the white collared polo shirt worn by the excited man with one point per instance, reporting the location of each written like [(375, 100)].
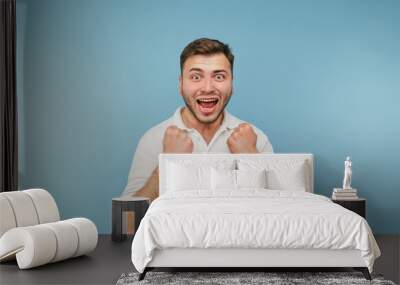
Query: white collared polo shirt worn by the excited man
[(150, 146)]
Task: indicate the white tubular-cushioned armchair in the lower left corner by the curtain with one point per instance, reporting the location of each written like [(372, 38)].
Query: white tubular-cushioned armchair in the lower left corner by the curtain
[(31, 230)]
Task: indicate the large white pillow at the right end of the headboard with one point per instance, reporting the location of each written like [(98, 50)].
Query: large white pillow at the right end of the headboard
[(282, 174)]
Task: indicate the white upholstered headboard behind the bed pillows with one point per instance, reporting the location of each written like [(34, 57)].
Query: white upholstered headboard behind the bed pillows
[(215, 159)]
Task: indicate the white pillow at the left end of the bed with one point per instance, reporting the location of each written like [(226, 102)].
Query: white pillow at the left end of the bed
[(187, 177)]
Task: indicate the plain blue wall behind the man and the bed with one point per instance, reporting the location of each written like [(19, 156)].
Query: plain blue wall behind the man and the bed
[(316, 76)]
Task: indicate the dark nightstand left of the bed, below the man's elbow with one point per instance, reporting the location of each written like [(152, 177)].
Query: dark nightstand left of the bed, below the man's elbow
[(138, 205)]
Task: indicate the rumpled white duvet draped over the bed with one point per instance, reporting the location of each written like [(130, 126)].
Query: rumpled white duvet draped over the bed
[(251, 218)]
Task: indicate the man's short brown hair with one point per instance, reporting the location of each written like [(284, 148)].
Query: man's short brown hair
[(206, 46)]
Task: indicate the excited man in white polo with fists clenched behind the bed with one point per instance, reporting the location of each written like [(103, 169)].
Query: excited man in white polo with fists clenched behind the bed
[(203, 125)]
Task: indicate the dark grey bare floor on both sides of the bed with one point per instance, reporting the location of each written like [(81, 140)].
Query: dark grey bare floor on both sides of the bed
[(111, 259)]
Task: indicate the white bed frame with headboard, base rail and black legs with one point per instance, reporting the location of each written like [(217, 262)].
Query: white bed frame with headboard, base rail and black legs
[(248, 259)]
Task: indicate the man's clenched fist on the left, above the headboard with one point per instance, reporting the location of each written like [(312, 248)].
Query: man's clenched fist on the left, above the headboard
[(177, 141)]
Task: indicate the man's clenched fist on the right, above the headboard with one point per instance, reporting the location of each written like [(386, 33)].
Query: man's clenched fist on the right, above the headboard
[(243, 139)]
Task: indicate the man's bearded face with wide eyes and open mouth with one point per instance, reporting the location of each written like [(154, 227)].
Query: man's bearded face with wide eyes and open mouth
[(206, 85)]
